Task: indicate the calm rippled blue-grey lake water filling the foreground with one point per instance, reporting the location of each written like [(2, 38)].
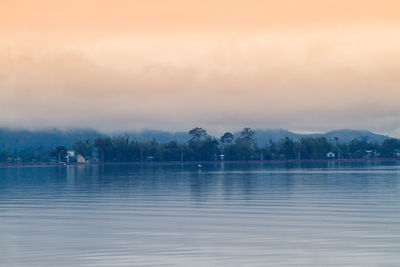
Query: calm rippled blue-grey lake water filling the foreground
[(219, 215)]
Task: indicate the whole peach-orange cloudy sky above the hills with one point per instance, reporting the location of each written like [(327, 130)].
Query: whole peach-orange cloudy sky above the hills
[(112, 65)]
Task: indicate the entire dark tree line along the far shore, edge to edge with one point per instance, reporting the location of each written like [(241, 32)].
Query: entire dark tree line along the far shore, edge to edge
[(204, 147)]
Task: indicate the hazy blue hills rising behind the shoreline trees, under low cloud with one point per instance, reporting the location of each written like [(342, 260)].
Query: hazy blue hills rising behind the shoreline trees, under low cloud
[(12, 139)]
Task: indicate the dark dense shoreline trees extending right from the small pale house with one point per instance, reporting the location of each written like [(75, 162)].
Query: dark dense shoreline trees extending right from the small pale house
[(203, 147)]
